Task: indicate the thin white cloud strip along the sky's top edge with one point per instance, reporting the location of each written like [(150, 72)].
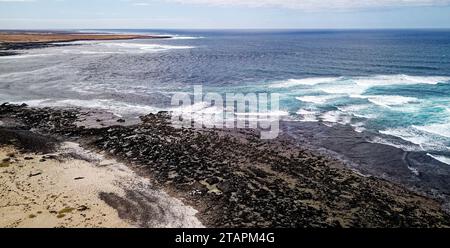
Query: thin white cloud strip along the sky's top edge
[(319, 4)]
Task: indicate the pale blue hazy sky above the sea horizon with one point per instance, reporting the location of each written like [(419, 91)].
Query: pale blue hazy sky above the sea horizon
[(224, 14)]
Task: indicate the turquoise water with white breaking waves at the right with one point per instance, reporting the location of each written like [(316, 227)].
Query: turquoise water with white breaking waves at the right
[(413, 108)]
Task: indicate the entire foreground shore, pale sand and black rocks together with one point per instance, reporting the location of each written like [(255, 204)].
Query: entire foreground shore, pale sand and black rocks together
[(161, 176)]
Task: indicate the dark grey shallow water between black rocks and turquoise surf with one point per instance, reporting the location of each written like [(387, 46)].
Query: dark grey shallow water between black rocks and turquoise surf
[(415, 170)]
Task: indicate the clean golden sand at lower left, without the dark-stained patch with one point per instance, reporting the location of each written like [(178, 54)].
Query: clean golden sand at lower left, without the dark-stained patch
[(42, 192)]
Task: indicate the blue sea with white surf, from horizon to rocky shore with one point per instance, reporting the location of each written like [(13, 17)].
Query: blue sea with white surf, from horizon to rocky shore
[(390, 83)]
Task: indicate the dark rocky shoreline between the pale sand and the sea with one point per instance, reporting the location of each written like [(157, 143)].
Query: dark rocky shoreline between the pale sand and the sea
[(230, 176)]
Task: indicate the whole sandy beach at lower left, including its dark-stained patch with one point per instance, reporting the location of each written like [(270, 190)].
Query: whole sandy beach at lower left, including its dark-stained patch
[(67, 189)]
